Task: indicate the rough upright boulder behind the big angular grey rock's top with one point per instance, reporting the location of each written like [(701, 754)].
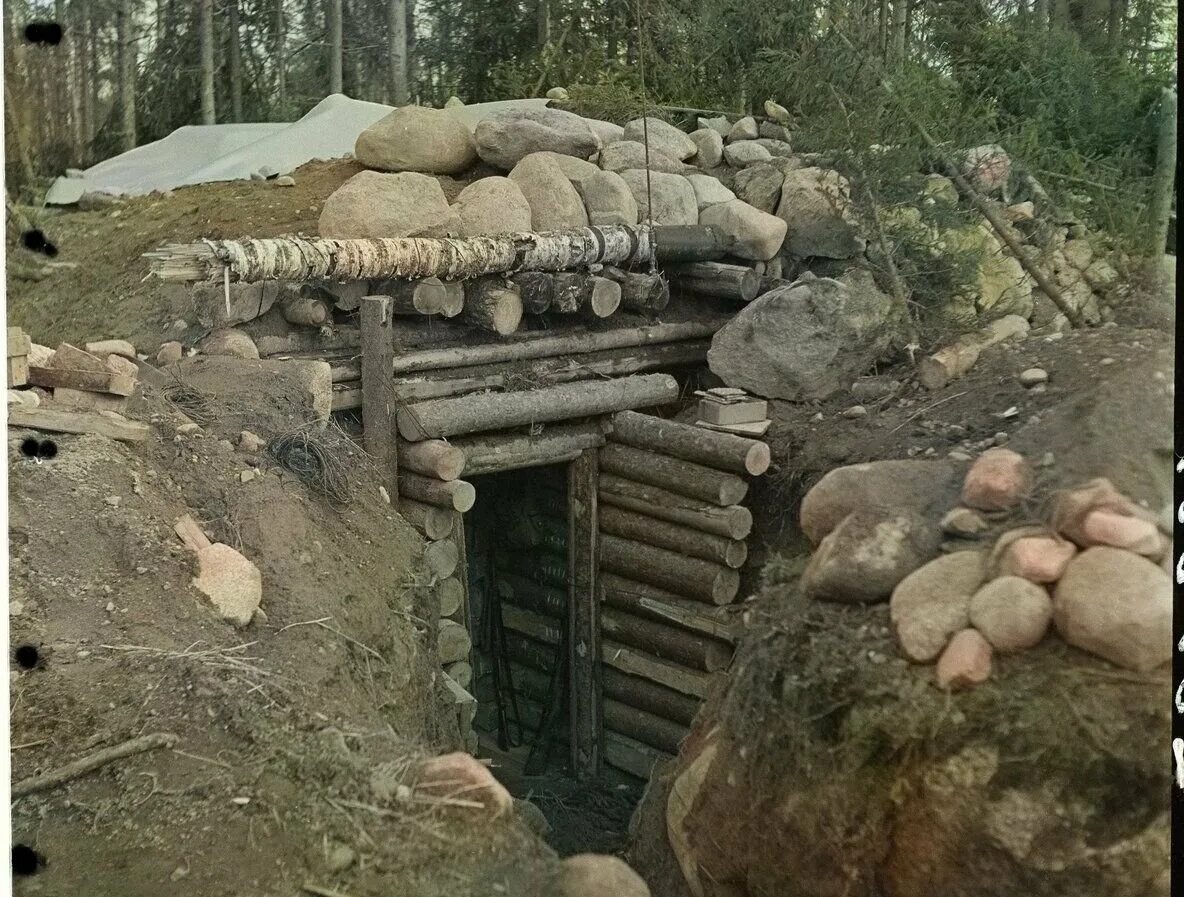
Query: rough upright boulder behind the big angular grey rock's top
[(816, 204)]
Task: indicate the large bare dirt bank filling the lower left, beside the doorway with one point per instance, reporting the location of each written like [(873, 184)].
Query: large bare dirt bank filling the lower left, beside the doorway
[(281, 728)]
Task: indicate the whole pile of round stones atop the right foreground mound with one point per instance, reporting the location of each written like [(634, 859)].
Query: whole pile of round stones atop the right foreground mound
[(1097, 571)]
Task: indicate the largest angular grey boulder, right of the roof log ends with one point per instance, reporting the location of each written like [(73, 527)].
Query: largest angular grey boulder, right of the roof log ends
[(808, 340)]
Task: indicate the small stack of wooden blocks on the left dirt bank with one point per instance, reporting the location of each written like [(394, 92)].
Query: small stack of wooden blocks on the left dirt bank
[(100, 379)]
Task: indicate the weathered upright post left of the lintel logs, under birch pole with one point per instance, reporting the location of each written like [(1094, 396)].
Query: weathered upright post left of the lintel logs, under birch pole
[(378, 392)]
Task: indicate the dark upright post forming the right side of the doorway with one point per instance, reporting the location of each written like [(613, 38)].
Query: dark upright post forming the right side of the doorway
[(584, 616)]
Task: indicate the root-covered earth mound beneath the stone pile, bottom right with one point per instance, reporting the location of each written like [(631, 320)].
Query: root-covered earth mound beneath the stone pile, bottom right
[(835, 767)]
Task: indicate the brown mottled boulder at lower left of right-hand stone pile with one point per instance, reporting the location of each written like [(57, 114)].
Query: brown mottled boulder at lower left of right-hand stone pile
[(867, 556)]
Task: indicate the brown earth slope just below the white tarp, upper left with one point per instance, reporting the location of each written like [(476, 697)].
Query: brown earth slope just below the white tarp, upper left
[(106, 295)]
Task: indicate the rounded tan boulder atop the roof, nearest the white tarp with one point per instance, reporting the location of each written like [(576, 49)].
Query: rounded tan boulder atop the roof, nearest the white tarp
[(417, 139)]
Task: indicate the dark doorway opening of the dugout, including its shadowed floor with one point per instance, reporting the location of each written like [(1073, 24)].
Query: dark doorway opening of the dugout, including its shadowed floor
[(518, 565)]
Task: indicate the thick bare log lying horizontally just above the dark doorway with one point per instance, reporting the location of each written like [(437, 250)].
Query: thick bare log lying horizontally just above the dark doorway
[(475, 414)]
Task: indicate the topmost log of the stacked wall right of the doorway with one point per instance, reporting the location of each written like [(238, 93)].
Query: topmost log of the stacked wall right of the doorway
[(691, 443)]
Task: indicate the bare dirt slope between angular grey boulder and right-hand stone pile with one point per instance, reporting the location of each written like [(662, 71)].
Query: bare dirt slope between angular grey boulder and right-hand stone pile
[(1093, 418)]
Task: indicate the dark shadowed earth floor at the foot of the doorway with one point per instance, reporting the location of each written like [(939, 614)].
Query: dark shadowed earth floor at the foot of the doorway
[(589, 817)]
